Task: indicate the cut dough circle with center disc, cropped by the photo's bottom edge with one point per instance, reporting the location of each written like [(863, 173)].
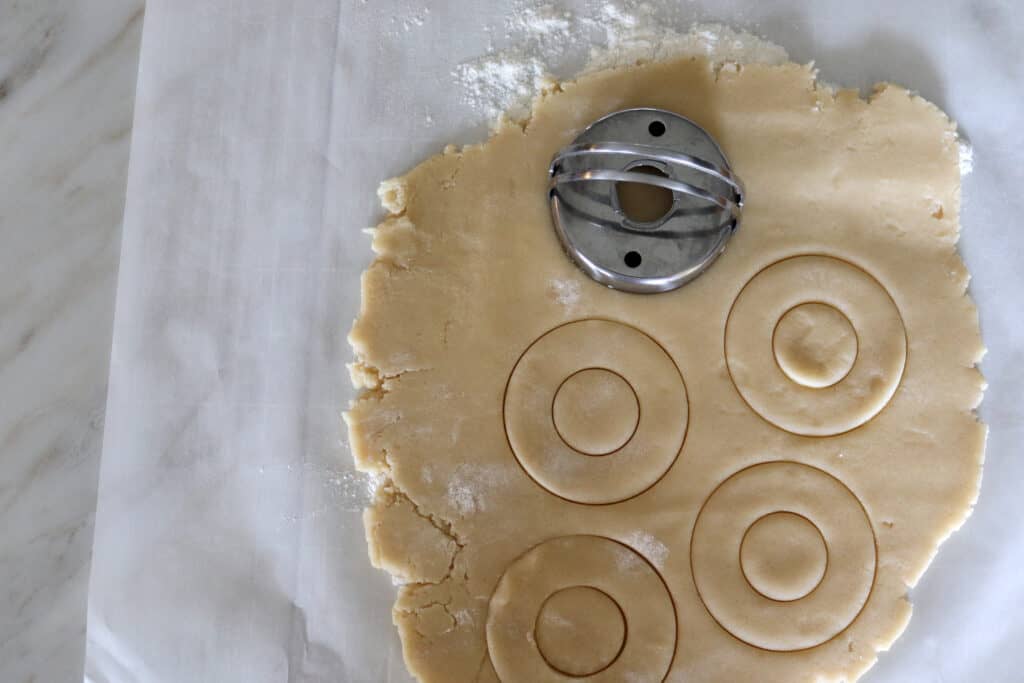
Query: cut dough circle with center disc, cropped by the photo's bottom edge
[(560, 579)]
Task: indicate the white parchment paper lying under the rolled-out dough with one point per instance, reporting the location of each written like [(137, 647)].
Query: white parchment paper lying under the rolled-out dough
[(229, 543)]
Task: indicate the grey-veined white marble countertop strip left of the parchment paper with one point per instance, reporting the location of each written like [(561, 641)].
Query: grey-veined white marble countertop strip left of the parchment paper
[(68, 72)]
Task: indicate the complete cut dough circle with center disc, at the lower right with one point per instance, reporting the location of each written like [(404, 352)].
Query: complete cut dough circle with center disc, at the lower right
[(787, 599)]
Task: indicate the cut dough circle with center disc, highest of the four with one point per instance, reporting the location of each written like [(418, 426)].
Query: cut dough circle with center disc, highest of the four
[(765, 349)]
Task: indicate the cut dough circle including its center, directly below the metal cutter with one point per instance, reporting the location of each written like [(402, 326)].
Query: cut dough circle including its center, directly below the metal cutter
[(643, 391)]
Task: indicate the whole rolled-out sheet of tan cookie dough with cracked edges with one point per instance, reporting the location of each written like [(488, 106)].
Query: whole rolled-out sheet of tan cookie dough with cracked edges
[(738, 481)]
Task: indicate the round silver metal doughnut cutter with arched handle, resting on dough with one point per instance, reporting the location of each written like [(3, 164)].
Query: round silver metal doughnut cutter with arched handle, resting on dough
[(656, 148)]
